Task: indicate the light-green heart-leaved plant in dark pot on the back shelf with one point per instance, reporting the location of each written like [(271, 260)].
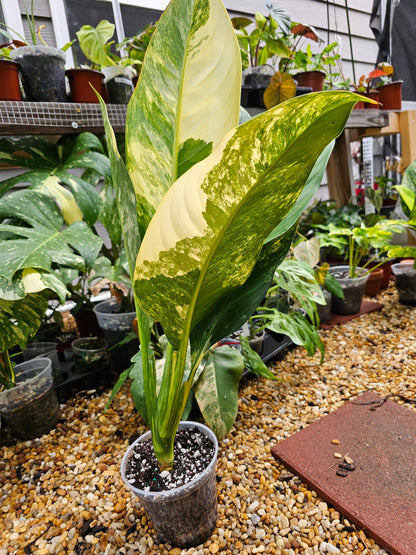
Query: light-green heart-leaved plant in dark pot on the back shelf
[(118, 74)]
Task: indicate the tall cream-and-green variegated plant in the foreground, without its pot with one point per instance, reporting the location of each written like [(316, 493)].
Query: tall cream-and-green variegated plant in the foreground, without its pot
[(216, 206)]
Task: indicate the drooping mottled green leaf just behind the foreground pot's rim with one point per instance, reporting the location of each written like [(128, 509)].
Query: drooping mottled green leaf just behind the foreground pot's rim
[(216, 391)]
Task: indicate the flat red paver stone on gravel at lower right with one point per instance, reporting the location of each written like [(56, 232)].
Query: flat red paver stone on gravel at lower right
[(380, 494)]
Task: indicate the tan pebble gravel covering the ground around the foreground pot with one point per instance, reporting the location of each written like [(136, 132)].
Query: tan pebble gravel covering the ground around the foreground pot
[(63, 494)]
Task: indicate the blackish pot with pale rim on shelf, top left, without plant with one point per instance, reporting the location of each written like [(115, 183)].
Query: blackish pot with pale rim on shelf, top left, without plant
[(42, 69)]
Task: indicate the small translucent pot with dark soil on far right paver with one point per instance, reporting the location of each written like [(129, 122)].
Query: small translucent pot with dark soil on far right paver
[(353, 289)]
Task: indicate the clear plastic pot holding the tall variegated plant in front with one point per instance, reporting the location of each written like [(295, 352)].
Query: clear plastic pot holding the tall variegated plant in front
[(184, 516)]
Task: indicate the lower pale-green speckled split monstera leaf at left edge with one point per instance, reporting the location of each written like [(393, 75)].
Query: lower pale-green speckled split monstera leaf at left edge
[(43, 240)]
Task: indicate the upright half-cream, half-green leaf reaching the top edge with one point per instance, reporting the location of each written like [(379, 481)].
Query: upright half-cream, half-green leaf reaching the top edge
[(187, 98)]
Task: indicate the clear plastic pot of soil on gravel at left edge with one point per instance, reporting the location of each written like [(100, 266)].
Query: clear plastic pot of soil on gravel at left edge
[(31, 409)]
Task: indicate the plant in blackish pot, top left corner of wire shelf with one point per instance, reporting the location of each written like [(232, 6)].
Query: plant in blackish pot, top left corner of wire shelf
[(42, 67)]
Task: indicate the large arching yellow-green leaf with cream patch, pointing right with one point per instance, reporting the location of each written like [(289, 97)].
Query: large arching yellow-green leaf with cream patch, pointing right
[(209, 230)]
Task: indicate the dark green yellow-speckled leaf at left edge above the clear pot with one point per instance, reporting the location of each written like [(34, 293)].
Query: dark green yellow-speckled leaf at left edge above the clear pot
[(20, 319)]
